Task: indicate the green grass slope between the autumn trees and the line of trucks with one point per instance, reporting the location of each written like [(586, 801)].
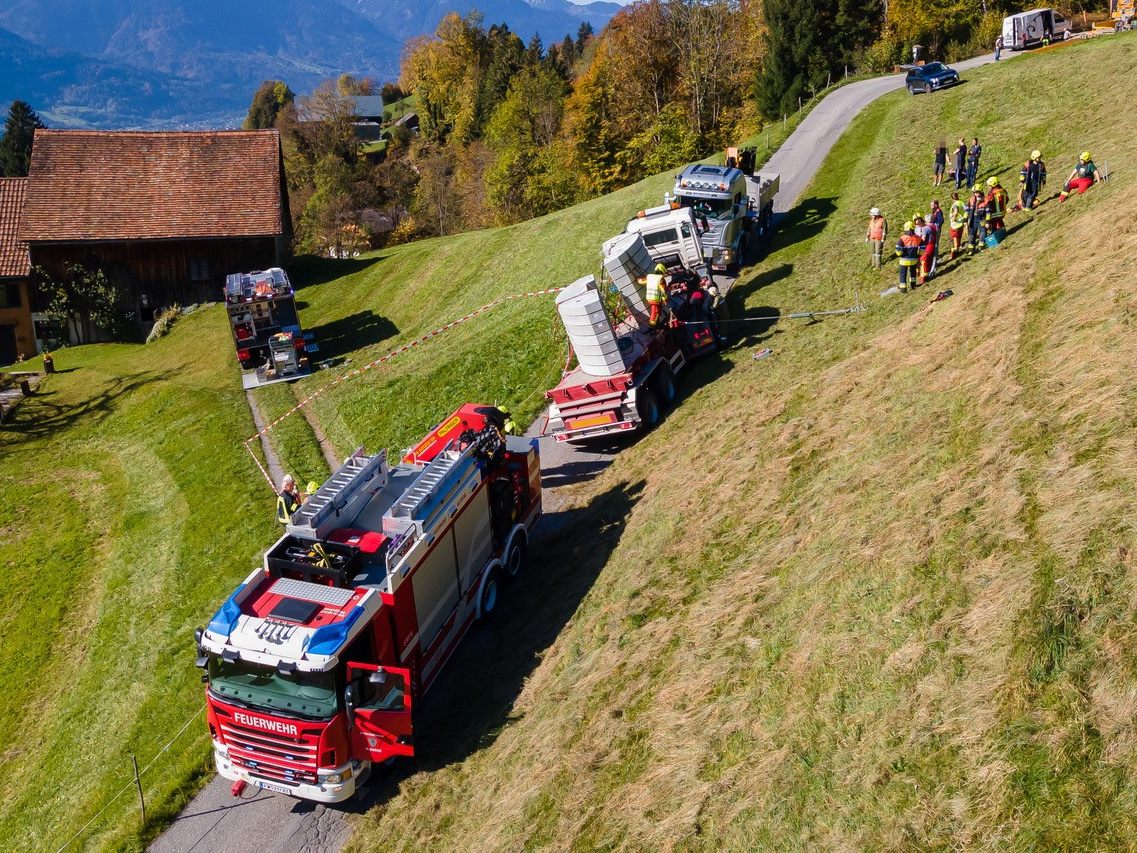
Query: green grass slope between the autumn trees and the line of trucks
[(364, 309)]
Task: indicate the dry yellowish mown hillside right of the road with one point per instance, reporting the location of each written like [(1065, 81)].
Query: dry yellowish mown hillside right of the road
[(876, 592)]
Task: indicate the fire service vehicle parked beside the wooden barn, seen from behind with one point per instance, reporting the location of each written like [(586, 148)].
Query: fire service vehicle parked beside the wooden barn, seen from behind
[(271, 346)]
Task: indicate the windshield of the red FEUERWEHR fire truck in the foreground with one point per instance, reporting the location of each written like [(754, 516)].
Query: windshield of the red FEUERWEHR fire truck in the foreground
[(296, 694)]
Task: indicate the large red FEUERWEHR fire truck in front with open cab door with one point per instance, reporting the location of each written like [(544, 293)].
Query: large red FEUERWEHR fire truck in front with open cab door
[(314, 665)]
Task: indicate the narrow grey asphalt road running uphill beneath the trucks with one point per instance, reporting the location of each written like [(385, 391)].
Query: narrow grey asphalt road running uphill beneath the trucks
[(215, 822)]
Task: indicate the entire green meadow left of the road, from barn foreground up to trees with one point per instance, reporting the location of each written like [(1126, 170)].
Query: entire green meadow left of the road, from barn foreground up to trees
[(131, 508)]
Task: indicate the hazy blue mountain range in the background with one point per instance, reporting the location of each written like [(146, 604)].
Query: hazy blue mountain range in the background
[(167, 64)]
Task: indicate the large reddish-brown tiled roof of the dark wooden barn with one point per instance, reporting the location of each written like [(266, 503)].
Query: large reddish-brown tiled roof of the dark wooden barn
[(146, 186)]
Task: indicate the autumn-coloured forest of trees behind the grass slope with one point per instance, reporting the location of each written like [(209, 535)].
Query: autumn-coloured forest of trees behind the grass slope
[(512, 130)]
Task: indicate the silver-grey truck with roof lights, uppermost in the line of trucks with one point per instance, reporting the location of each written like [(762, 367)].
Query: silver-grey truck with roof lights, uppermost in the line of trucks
[(732, 208)]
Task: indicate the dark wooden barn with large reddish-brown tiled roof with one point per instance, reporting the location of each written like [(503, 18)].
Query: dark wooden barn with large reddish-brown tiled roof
[(164, 216)]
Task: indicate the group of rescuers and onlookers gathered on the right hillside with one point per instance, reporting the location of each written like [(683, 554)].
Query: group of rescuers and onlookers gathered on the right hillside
[(974, 223)]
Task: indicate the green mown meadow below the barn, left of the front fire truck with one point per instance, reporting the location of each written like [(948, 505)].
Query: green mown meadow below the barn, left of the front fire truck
[(129, 512)]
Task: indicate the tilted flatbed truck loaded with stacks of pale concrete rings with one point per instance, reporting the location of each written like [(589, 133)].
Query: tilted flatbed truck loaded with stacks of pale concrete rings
[(626, 369)]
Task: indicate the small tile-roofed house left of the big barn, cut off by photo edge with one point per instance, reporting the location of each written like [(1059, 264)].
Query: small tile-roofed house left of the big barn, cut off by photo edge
[(18, 337)]
